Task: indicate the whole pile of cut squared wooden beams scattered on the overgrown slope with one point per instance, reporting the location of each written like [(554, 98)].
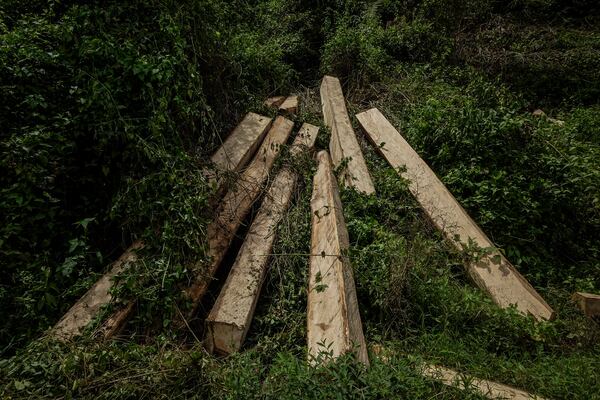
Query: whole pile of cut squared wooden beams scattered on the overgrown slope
[(334, 324)]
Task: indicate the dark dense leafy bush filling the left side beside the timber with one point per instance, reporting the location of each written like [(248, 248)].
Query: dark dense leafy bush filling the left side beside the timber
[(102, 108)]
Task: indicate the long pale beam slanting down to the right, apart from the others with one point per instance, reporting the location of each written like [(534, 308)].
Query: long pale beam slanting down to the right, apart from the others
[(492, 272)]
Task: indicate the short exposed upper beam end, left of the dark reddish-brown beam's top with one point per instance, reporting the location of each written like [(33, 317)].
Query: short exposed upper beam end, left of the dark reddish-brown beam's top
[(241, 144)]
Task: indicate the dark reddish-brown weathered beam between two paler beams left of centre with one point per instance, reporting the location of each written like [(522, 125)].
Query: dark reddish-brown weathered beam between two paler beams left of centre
[(237, 203)]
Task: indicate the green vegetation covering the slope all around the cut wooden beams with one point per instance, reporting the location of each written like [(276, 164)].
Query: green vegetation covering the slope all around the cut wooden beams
[(109, 110)]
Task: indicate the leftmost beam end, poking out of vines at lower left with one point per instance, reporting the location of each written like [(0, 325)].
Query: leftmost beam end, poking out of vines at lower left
[(90, 304)]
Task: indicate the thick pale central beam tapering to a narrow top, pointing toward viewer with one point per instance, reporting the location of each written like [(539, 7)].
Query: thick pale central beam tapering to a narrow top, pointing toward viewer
[(333, 322)]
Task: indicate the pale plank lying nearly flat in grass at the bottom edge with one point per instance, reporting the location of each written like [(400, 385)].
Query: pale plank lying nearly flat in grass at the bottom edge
[(489, 389)]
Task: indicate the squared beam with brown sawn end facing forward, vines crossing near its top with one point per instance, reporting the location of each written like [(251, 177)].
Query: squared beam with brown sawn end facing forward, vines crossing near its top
[(229, 320)]
